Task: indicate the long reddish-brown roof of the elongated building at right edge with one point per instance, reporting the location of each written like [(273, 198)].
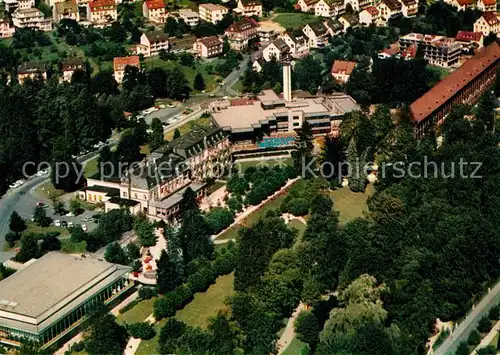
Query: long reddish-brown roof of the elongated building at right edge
[(453, 83)]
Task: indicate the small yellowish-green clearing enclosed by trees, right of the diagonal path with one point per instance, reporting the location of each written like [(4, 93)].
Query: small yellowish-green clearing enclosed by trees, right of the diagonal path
[(350, 204)]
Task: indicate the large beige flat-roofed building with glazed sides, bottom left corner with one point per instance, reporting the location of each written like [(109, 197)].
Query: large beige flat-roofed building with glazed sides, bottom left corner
[(51, 296)]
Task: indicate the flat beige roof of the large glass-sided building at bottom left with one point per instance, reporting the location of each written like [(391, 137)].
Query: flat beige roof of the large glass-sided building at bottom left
[(51, 287)]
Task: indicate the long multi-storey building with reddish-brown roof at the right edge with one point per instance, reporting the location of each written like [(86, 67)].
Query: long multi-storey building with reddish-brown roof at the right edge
[(464, 86)]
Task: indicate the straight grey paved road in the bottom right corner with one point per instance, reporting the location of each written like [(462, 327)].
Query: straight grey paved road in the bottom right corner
[(463, 330)]
